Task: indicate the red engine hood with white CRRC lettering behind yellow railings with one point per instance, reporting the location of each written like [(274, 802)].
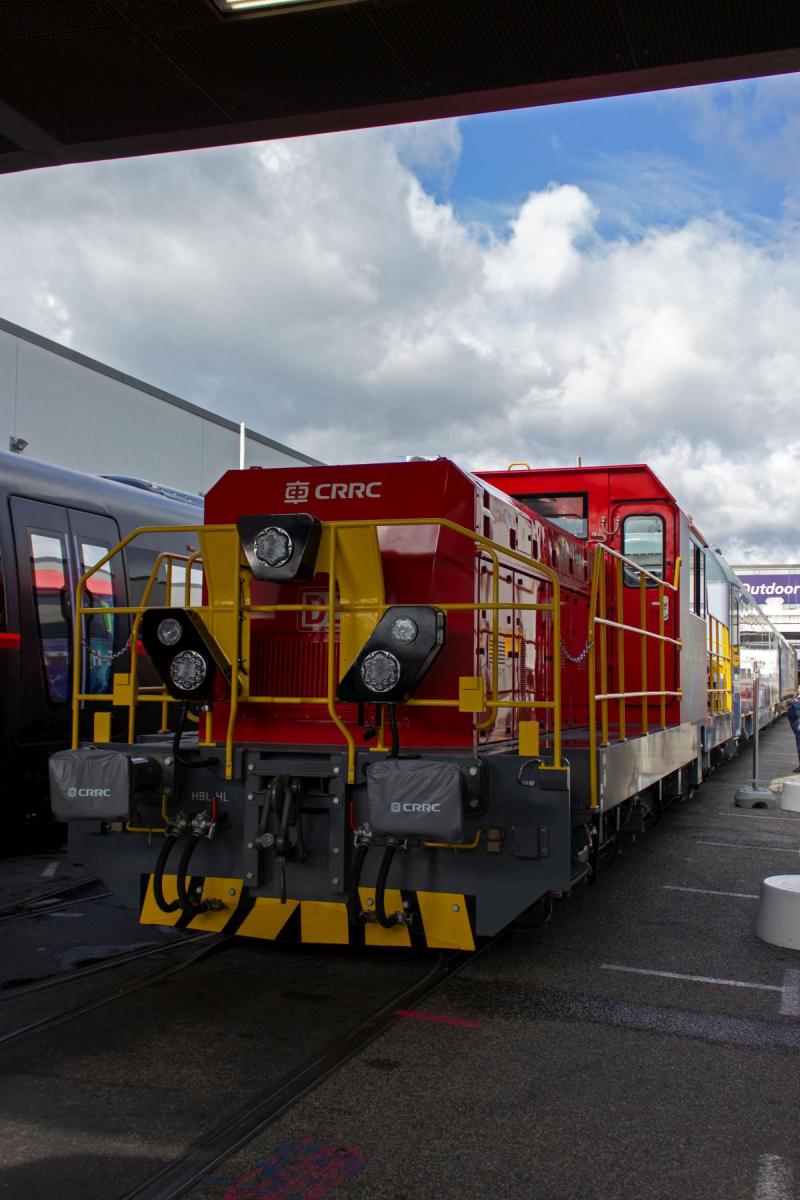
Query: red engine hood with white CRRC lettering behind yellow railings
[(420, 566)]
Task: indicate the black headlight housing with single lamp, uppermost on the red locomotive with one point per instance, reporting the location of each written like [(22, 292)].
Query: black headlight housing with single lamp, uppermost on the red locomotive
[(281, 548)]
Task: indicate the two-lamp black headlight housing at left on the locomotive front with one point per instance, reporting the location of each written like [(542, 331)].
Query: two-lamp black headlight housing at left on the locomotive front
[(185, 655)]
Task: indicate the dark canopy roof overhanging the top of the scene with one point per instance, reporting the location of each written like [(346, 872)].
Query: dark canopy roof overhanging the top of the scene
[(85, 80)]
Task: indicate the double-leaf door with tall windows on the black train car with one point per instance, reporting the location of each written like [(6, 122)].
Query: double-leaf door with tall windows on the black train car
[(55, 545)]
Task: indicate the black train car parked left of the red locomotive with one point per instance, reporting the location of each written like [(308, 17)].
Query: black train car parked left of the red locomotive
[(55, 524)]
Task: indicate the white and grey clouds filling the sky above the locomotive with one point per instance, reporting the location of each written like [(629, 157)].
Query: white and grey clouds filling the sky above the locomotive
[(317, 290)]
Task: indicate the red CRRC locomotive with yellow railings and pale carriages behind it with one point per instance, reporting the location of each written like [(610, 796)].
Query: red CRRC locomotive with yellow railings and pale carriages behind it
[(413, 703)]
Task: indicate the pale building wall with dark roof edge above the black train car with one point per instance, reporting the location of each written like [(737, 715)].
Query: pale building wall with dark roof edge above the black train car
[(82, 415)]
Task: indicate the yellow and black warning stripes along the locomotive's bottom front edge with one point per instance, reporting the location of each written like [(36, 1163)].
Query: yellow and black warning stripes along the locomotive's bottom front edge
[(441, 921)]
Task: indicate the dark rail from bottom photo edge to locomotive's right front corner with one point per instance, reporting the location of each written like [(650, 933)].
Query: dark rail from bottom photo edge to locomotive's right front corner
[(212, 1149)]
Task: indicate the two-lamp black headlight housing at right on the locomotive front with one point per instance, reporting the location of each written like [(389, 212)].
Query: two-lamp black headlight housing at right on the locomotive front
[(396, 657)]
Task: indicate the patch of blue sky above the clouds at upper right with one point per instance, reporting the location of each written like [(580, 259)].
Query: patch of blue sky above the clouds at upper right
[(735, 147)]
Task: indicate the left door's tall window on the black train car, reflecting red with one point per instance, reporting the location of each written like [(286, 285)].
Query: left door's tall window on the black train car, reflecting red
[(49, 573)]
